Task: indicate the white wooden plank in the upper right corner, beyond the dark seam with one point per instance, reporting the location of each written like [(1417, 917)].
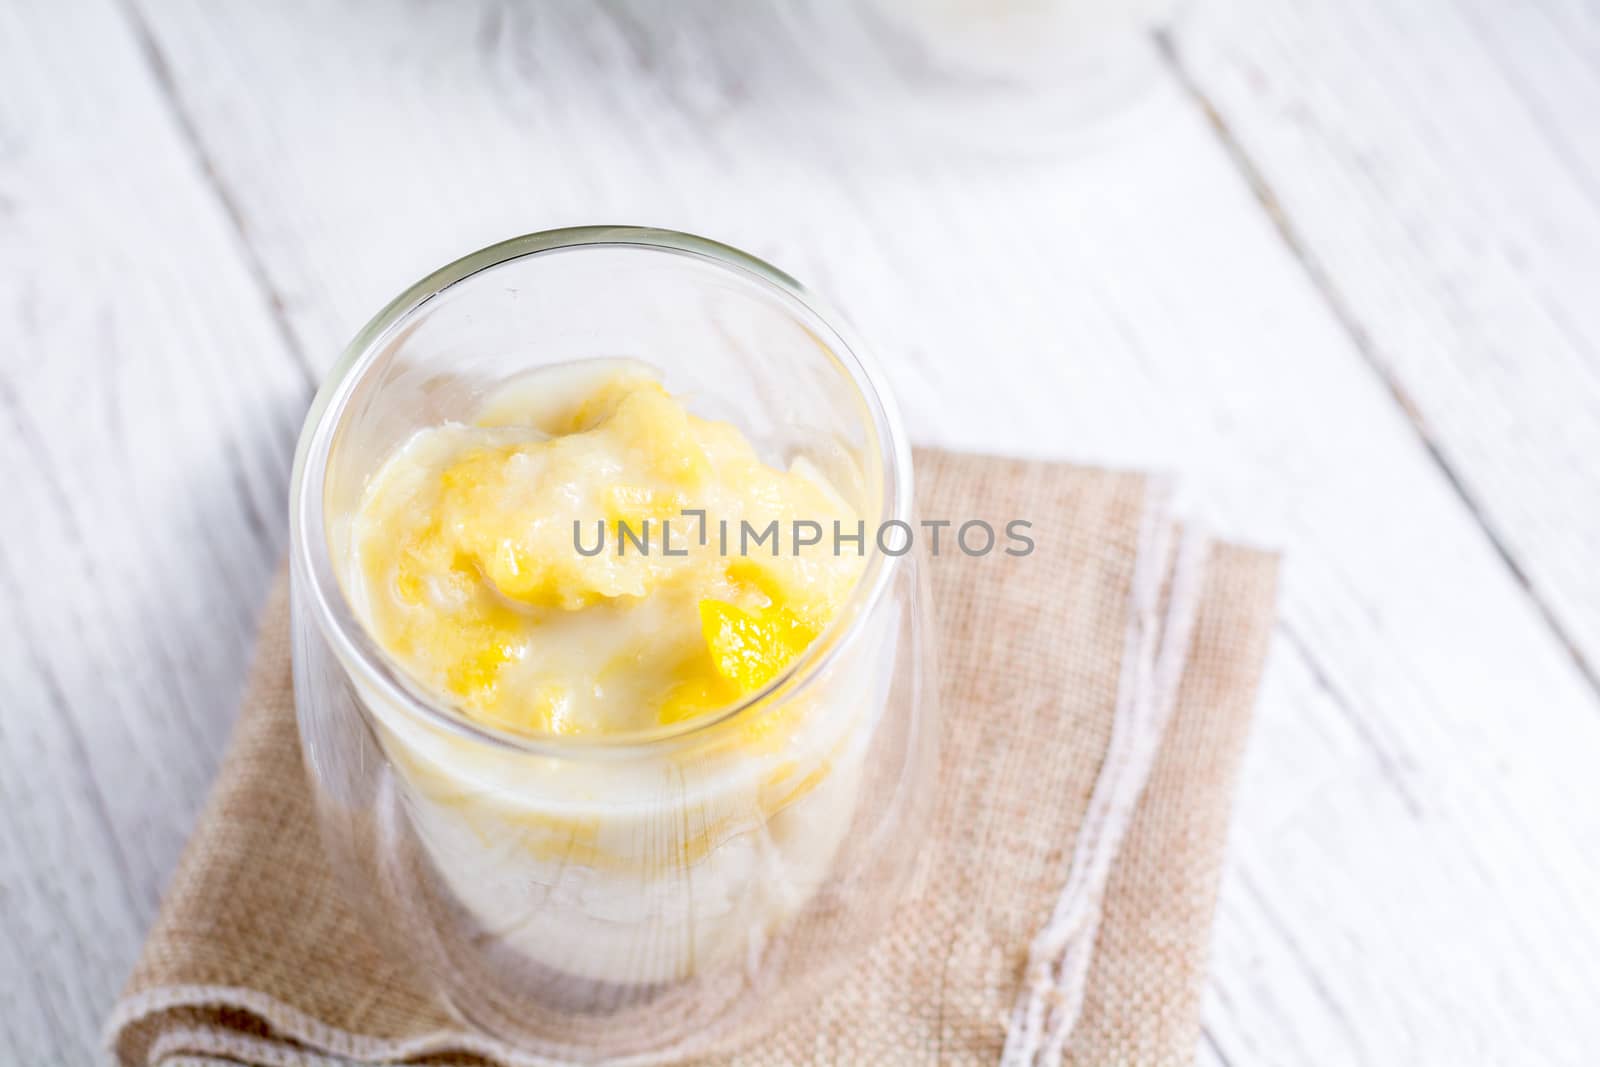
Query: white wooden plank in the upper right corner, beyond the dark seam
[(1439, 164)]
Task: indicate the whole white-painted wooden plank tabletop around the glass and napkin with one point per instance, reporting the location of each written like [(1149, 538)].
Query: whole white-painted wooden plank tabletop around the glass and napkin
[(1345, 278)]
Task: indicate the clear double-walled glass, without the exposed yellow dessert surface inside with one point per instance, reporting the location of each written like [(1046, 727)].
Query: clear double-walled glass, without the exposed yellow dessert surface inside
[(660, 892)]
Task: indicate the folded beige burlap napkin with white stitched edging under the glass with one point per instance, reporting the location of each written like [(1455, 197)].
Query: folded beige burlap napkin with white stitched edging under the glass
[(1097, 697)]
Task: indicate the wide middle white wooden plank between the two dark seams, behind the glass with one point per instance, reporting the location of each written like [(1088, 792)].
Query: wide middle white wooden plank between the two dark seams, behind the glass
[(1414, 828)]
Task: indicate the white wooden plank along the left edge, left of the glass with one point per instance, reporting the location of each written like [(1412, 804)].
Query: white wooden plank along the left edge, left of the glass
[(146, 412)]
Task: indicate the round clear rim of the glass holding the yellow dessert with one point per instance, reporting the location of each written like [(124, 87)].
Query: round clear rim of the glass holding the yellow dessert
[(361, 653)]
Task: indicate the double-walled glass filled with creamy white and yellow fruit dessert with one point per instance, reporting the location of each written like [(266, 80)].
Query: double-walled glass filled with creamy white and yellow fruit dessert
[(612, 668)]
